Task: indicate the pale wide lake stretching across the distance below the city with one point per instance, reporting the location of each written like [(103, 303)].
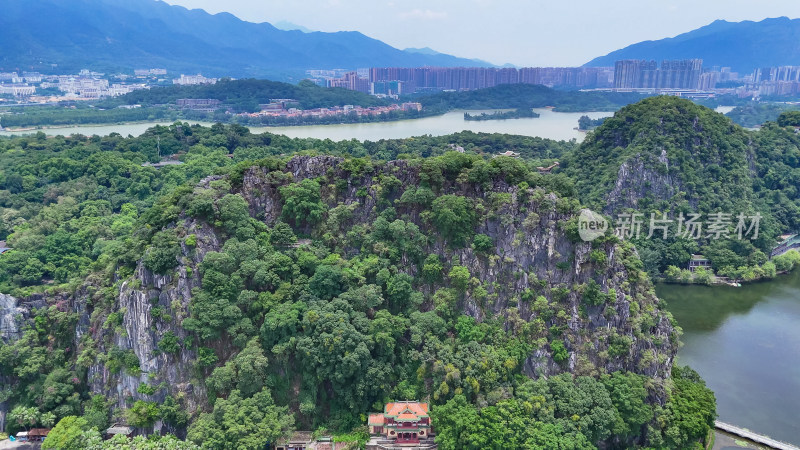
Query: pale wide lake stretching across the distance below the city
[(552, 125)]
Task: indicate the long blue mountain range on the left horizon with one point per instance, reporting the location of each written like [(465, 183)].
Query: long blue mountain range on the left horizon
[(125, 34)]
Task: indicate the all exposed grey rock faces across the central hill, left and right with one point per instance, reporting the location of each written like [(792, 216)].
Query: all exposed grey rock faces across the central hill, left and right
[(535, 253)]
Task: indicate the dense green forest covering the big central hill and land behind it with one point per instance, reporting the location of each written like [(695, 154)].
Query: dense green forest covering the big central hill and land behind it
[(402, 288)]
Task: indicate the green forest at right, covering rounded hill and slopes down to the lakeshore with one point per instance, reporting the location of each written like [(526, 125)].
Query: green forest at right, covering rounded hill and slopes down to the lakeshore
[(667, 155)]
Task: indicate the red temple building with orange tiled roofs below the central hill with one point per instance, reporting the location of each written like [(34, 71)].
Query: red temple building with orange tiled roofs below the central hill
[(403, 422)]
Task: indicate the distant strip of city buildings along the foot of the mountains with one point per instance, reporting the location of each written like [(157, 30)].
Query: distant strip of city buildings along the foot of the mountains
[(687, 78)]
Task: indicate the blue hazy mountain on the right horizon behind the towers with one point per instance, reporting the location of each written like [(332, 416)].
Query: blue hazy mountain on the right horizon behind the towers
[(743, 46)]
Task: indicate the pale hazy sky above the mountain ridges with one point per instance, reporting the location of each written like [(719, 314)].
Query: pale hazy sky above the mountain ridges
[(521, 32)]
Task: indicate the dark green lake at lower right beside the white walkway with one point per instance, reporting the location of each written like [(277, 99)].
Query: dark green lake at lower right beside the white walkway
[(745, 342)]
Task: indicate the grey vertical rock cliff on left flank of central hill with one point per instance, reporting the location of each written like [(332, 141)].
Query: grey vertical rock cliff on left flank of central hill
[(142, 329)]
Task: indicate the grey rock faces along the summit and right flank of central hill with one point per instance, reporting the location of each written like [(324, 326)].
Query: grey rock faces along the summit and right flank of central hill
[(533, 249)]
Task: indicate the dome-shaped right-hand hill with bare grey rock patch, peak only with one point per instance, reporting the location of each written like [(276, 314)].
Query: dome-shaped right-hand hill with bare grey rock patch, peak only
[(663, 152)]
